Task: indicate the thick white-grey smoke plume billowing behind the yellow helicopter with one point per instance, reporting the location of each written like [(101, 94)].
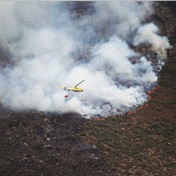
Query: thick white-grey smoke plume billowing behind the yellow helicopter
[(51, 45)]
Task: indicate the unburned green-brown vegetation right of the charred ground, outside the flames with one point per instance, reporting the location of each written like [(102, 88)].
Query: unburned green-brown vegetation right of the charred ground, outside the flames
[(142, 143)]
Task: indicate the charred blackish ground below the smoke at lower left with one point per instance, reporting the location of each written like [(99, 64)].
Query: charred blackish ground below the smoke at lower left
[(38, 144)]
